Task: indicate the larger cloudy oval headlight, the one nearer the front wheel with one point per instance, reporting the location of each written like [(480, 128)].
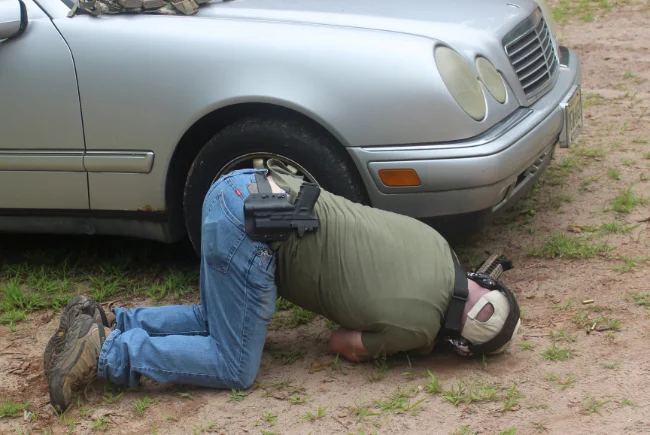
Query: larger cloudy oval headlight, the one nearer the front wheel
[(461, 82)]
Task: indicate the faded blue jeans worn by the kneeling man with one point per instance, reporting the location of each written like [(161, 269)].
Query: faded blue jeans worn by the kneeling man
[(219, 342)]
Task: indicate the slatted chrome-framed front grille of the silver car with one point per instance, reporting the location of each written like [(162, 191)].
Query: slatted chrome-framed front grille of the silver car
[(532, 54)]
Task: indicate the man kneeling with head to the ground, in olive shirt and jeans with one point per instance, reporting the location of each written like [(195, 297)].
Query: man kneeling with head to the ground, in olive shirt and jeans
[(391, 282)]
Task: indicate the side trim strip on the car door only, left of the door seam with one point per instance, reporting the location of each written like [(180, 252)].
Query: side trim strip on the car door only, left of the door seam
[(57, 161)]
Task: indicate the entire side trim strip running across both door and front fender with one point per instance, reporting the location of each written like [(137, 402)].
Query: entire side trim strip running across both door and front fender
[(139, 162)]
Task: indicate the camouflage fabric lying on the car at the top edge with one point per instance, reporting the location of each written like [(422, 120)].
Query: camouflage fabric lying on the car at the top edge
[(164, 7)]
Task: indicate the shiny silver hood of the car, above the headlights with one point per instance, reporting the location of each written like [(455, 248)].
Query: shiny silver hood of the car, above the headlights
[(444, 20)]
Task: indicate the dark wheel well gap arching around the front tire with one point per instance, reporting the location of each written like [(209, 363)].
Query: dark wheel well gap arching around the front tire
[(202, 131)]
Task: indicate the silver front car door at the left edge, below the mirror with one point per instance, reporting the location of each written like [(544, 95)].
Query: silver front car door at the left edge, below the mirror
[(41, 133)]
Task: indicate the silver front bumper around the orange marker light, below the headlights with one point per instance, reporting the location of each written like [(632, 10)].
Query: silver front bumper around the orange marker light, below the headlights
[(485, 174)]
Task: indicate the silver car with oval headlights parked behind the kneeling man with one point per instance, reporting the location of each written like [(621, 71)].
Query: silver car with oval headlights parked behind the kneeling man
[(118, 124)]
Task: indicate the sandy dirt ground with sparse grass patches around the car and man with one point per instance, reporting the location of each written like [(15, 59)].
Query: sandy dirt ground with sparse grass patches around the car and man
[(576, 368)]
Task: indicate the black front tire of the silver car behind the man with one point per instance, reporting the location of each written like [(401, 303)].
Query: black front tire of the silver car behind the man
[(313, 149)]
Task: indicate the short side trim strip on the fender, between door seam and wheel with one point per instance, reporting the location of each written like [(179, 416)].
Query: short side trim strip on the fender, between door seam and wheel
[(138, 162)]
